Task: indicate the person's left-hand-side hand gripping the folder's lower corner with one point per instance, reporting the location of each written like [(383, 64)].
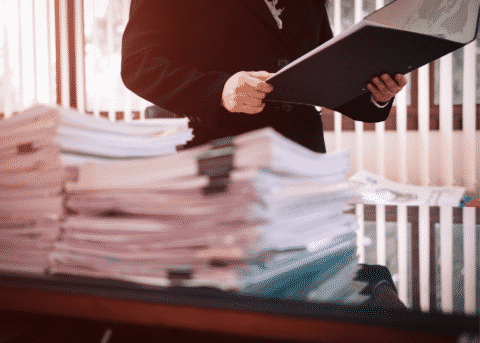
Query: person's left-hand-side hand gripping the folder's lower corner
[(244, 92)]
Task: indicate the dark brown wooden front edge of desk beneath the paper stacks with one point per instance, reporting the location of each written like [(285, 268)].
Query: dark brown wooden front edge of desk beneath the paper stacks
[(211, 310)]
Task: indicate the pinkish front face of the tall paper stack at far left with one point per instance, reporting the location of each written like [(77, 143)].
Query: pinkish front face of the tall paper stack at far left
[(31, 178)]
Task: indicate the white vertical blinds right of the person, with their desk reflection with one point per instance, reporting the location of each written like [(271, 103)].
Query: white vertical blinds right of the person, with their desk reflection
[(431, 155)]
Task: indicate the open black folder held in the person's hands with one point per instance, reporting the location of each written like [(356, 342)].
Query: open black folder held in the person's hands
[(398, 38)]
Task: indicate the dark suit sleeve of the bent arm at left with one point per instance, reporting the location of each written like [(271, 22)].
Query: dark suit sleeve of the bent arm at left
[(151, 68)]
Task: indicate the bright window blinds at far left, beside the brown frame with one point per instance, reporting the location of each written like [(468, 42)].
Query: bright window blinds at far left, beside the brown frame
[(27, 54)]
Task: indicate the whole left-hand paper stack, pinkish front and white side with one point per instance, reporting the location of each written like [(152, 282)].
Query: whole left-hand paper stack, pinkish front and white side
[(36, 146)]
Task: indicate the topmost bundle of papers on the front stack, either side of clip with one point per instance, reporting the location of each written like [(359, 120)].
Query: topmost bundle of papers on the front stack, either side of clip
[(264, 149)]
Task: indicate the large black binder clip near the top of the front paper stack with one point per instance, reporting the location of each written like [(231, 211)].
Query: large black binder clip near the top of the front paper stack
[(217, 164)]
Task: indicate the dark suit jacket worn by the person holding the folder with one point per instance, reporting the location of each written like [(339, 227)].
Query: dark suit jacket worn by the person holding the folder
[(178, 54)]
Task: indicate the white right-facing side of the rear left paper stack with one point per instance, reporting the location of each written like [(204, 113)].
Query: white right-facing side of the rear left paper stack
[(85, 137)]
